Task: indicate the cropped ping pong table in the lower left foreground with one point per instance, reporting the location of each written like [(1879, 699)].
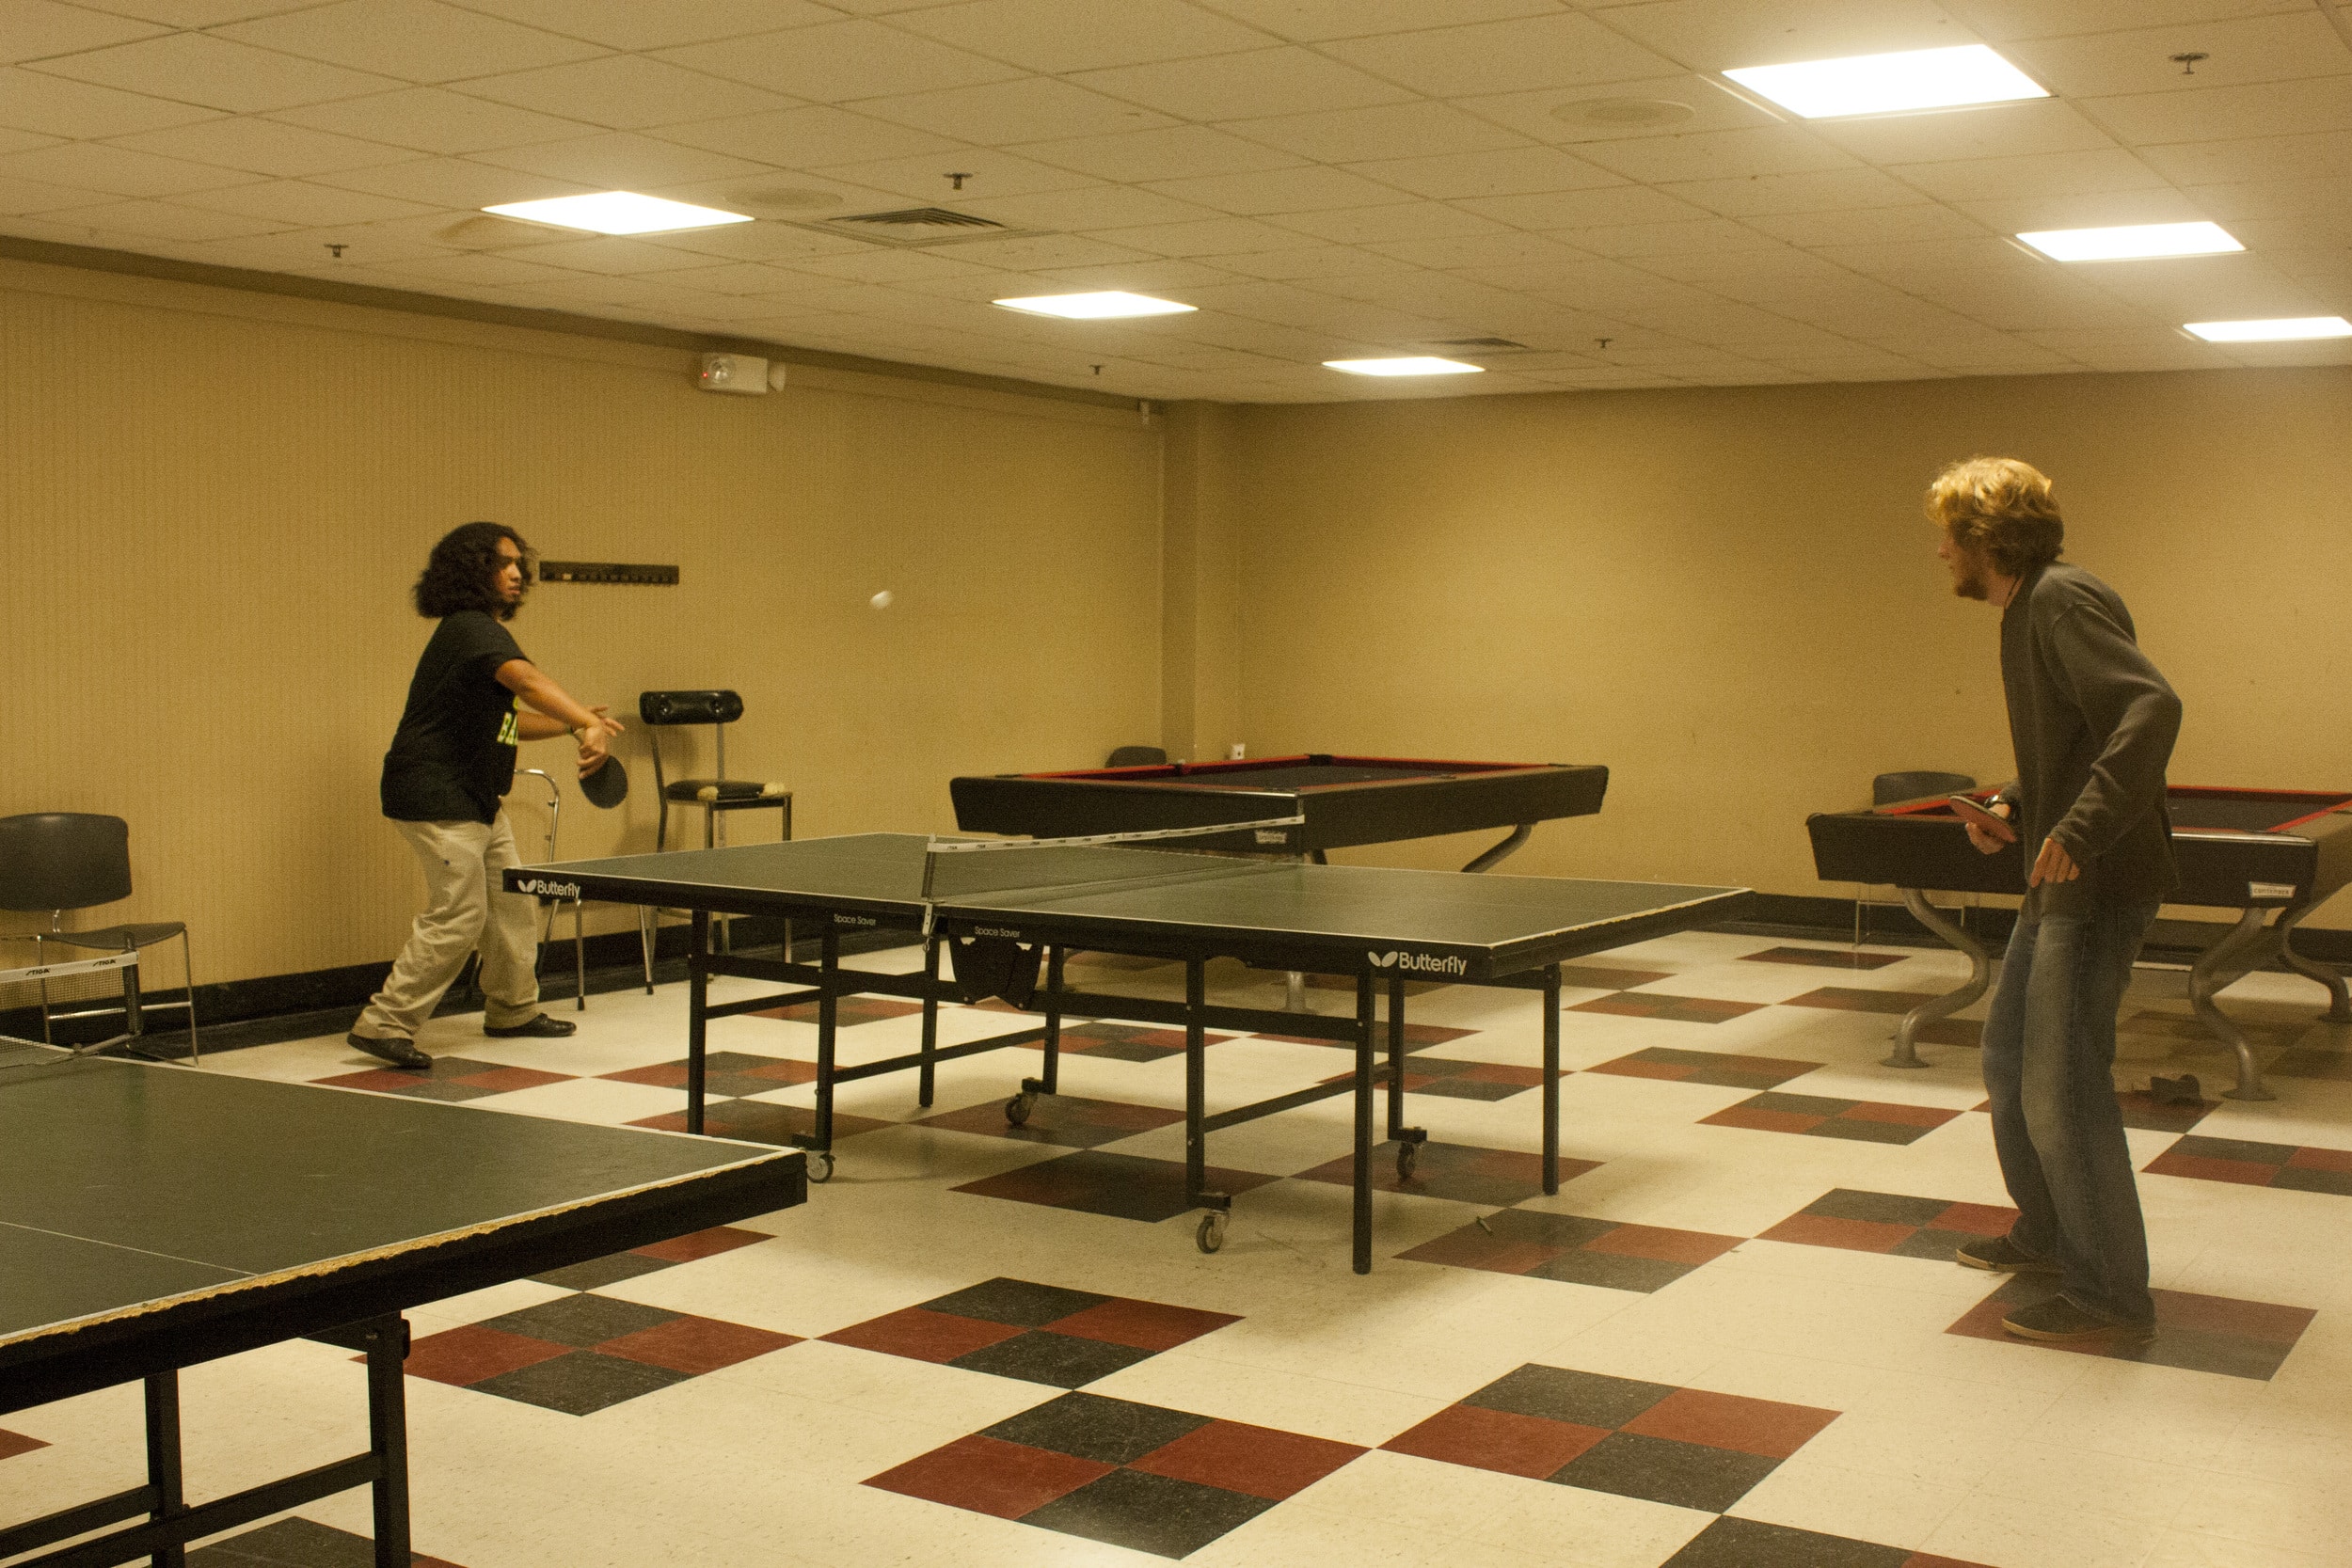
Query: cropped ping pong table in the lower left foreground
[(166, 1217)]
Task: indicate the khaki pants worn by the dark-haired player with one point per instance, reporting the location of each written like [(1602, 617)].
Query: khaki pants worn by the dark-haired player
[(467, 911)]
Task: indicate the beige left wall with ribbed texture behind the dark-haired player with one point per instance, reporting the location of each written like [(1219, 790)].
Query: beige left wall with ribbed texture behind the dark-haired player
[(213, 509)]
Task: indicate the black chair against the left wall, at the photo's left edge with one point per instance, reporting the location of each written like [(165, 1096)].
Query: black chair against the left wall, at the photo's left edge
[(79, 862)]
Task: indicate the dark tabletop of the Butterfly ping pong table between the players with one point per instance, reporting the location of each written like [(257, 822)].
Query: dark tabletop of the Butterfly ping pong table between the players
[(1347, 918)]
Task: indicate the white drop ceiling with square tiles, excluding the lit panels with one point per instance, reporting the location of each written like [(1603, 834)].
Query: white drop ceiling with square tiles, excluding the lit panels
[(1323, 177)]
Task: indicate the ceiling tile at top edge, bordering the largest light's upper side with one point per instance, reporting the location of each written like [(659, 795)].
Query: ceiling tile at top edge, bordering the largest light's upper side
[(1725, 34)]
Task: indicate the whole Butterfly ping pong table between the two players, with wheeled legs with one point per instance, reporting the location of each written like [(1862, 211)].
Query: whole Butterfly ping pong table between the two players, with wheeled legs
[(1005, 911)]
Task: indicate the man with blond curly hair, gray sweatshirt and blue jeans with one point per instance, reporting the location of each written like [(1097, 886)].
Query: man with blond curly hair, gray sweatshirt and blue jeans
[(2092, 723)]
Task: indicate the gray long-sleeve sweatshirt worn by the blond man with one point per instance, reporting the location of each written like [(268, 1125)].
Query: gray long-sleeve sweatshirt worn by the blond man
[(2092, 725)]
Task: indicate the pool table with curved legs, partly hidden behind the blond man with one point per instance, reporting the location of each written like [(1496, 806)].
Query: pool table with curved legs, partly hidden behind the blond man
[(2269, 855)]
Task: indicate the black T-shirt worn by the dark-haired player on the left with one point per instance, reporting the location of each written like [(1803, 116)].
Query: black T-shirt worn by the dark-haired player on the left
[(455, 751)]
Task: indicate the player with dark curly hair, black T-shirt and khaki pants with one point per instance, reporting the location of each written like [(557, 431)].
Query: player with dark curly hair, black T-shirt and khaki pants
[(472, 702)]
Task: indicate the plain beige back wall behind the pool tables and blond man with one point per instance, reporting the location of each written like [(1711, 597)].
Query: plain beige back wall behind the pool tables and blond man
[(1730, 598)]
